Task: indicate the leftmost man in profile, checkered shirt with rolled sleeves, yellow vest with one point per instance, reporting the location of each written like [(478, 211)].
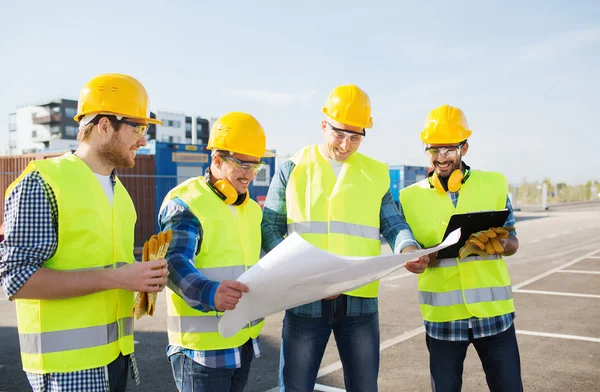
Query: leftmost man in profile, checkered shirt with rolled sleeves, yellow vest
[(67, 257)]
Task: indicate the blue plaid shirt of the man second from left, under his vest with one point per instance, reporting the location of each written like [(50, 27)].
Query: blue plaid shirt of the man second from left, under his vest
[(193, 287)]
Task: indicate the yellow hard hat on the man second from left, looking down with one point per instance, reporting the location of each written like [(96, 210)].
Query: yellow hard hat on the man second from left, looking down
[(239, 132)]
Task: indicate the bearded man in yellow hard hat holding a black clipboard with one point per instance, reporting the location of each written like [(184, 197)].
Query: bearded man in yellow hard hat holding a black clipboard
[(467, 299)]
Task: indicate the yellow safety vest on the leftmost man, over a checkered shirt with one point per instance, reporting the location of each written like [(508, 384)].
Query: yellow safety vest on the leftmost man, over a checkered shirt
[(89, 331)]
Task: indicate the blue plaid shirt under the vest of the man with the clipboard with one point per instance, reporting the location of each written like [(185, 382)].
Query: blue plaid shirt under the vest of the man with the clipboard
[(458, 330)]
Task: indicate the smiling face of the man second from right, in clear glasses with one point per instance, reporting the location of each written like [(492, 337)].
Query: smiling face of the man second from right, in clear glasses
[(340, 140)]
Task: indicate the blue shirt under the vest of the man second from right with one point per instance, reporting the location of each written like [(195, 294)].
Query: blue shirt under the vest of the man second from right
[(393, 227)]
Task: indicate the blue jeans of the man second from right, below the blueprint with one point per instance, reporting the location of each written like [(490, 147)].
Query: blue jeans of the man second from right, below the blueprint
[(304, 340)]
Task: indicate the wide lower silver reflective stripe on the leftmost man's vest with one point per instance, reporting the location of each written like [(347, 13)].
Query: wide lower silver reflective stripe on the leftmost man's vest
[(74, 339)]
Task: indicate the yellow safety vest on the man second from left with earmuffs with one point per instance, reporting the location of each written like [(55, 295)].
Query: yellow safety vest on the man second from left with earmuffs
[(230, 245)]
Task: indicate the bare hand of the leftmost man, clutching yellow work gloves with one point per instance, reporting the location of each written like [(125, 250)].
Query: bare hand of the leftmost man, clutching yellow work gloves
[(146, 277)]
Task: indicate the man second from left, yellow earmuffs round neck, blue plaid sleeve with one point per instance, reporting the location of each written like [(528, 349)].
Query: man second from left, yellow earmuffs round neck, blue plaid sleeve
[(216, 237)]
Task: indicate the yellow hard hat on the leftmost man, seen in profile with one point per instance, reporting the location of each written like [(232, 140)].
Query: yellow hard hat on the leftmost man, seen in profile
[(116, 94)]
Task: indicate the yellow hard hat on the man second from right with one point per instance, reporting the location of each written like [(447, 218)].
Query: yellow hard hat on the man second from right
[(349, 105)]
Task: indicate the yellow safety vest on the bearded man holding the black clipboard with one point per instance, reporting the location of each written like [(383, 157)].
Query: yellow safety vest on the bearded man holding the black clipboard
[(458, 289)]
